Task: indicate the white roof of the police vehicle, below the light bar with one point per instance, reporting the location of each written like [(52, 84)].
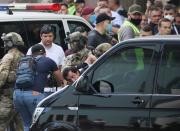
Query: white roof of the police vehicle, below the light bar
[(34, 15)]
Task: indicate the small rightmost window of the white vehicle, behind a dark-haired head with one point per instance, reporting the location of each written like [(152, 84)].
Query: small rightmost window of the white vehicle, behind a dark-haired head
[(74, 24)]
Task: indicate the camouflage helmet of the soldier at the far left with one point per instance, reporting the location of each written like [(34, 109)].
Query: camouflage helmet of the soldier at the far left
[(12, 39)]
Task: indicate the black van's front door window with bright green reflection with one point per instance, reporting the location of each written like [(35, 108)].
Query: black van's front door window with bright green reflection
[(128, 70)]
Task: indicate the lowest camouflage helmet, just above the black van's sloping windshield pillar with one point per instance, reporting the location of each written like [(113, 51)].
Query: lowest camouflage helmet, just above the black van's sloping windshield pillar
[(102, 48)]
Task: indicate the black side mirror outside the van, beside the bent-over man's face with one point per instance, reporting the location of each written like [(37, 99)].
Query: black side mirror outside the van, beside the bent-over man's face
[(82, 84)]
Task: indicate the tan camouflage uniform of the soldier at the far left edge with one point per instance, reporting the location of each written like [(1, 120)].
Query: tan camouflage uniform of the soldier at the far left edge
[(8, 67)]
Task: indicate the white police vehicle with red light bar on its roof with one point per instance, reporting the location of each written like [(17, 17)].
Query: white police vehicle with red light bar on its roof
[(29, 22)]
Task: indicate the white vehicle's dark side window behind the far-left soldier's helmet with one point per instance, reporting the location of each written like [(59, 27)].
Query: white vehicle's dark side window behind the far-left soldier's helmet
[(6, 27)]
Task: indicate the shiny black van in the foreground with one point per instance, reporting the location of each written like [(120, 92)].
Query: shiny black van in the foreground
[(135, 86)]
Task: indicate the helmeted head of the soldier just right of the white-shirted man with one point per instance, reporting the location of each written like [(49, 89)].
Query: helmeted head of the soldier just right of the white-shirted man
[(77, 41)]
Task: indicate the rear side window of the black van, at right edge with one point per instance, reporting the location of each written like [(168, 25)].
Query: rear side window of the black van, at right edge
[(169, 72)]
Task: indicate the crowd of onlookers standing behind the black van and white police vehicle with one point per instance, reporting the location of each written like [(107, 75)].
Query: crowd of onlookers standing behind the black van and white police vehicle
[(112, 23)]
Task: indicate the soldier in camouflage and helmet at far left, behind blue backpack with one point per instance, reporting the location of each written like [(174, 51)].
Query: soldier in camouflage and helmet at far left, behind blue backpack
[(13, 43)]
